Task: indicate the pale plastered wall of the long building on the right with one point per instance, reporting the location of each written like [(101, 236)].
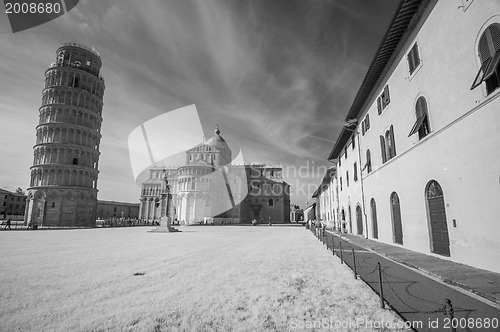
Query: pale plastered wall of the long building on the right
[(462, 152)]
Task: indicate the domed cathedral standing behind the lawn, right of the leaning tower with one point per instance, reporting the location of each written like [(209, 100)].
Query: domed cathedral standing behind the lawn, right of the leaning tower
[(211, 187)]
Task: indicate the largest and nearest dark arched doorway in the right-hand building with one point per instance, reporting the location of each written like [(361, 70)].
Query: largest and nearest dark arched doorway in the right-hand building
[(440, 241)]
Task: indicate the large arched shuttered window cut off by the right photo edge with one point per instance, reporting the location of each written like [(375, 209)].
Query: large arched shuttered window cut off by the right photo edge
[(489, 54)]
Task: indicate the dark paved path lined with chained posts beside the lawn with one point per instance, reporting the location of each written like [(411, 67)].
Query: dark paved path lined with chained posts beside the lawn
[(422, 301)]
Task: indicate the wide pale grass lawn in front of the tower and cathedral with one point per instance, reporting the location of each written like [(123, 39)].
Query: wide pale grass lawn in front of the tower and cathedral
[(204, 279)]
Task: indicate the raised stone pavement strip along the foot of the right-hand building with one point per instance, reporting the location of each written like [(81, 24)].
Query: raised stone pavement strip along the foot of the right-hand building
[(481, 282)]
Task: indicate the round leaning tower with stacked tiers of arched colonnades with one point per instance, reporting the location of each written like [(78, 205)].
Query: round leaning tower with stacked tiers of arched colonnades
[(63, 188)]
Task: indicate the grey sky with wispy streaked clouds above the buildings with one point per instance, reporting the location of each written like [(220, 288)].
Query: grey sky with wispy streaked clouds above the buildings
[(277, 76)]
